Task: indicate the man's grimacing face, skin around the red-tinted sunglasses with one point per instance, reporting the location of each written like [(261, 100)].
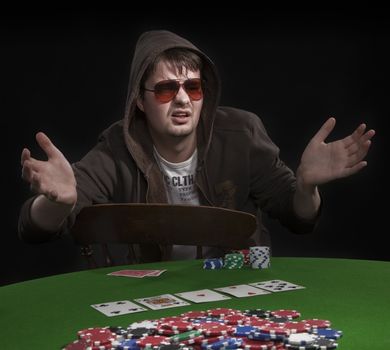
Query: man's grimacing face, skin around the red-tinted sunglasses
[(177, 118)]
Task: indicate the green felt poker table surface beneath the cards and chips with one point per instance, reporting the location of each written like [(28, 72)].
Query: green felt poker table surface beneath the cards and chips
[(354, 295)]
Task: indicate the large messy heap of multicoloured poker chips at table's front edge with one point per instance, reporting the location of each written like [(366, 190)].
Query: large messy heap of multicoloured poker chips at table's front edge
[(214, 329)]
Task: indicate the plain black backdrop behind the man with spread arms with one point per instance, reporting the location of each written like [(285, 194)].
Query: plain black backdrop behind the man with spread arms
[(66, 74)]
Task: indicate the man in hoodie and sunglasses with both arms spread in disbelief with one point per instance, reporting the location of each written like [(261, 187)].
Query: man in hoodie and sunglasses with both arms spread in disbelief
[(176, 145)]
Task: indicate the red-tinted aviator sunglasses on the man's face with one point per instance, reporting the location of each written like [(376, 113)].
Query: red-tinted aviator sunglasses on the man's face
[(166, 90)]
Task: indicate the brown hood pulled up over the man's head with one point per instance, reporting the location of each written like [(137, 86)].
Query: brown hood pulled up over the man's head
[(138, 141)]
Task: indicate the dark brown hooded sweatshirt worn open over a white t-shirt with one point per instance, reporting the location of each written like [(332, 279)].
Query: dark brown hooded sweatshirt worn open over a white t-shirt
[(238, 164)]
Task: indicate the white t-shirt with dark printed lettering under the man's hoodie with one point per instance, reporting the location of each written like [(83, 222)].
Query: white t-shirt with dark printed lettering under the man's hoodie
[(181, 189)]
